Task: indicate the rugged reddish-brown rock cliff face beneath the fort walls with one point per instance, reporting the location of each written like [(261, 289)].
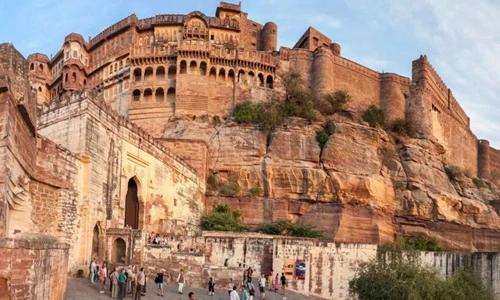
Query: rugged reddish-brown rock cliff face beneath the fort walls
[(363, 186)]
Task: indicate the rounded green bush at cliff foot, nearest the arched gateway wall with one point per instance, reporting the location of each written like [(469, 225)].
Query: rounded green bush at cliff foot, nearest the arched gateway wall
[(222, 218)]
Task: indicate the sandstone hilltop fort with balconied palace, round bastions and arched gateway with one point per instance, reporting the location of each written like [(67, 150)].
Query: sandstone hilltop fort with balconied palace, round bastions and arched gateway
[(86, 166)]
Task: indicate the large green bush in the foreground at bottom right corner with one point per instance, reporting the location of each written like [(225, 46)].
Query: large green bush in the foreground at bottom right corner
[(406, 279)]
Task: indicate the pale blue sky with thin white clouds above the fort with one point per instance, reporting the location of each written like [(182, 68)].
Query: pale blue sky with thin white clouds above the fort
[(461, 38)]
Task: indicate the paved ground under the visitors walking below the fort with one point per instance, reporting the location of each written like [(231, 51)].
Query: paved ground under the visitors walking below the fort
[(82, 289)]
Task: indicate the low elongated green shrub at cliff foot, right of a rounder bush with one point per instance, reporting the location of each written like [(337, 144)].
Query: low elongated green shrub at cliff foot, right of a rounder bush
[(291, 229)]
